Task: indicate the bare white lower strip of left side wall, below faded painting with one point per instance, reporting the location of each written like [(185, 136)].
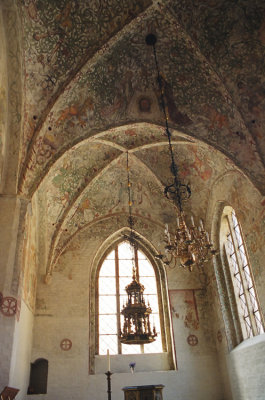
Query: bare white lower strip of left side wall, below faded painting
[(21, 352)]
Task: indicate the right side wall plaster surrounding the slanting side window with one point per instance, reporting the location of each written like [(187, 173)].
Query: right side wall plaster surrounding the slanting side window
[(242, 367)]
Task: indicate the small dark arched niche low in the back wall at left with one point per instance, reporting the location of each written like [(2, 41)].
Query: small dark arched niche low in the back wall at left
[(38, 377)]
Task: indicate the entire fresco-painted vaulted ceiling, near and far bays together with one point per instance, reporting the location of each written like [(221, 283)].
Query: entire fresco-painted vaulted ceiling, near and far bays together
[(91, 94)]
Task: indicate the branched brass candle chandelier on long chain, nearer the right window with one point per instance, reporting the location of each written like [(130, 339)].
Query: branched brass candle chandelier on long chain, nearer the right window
[(190, 244)]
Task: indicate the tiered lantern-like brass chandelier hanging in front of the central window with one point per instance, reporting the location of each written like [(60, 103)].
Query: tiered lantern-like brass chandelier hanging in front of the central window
[(136, 326)]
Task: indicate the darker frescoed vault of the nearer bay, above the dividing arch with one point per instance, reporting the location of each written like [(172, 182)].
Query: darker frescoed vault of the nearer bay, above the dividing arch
[(109, 87)]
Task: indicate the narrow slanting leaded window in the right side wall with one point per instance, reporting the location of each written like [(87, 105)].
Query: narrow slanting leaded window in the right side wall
[(241, 274)]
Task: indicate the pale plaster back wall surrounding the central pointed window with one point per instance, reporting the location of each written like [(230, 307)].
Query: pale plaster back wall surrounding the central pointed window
[(62, 311)]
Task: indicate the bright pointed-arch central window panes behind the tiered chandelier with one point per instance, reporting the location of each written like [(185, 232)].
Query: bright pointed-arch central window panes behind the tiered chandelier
[(114, 275)]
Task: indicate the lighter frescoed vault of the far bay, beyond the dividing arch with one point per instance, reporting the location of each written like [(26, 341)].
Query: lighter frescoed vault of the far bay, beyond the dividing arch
[(79, 194)]
